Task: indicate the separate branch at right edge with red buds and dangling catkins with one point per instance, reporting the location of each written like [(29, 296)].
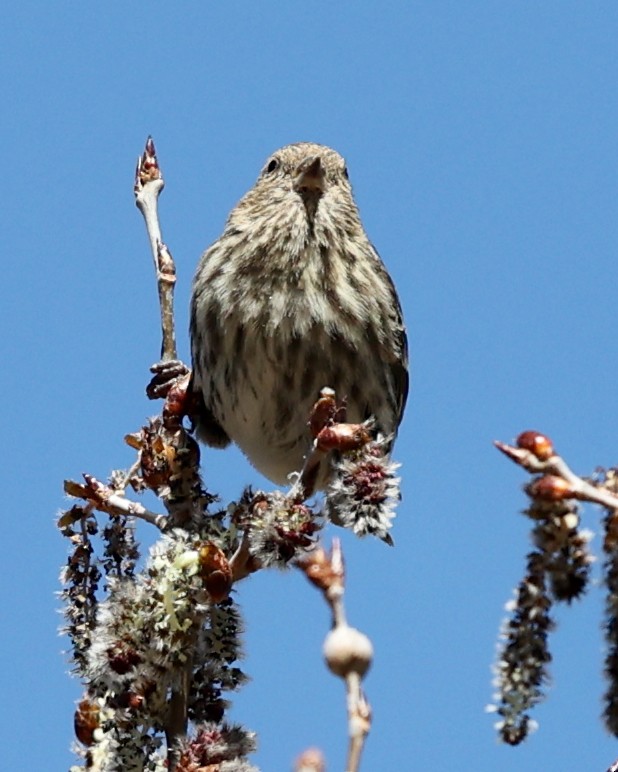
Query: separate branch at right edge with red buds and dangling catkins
[(558, 569)]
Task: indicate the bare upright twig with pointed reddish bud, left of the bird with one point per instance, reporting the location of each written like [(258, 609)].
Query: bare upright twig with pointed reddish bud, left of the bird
[(148, 186)]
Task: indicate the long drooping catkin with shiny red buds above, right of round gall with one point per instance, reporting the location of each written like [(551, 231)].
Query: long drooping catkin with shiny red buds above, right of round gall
[(558, 570)]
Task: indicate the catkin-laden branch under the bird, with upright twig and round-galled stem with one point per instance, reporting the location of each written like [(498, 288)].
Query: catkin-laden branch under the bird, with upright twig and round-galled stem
[(163, 650)]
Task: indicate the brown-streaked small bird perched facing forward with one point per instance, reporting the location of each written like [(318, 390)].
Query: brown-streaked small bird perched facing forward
[(292, 298)]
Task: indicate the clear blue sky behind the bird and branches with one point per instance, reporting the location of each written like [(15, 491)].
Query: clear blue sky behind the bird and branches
[(481, 143)]
